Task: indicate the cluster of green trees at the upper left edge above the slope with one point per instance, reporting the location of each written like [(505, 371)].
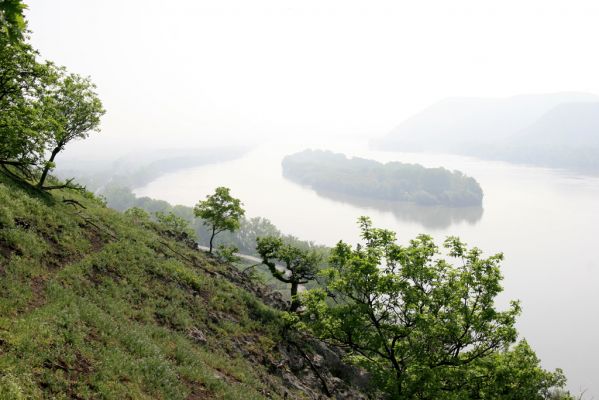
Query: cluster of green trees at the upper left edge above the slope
[(42, 106)]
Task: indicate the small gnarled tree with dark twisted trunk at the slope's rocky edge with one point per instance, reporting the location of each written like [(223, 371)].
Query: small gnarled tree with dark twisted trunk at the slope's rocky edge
[(301, 265)]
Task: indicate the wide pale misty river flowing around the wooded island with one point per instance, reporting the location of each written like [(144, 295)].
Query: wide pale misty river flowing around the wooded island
[(546, 222)]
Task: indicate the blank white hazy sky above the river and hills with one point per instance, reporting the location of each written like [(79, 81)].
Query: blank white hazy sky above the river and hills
[(217, 70)]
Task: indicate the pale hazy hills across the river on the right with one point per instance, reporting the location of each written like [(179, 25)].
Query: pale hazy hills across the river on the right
[(556, 130)]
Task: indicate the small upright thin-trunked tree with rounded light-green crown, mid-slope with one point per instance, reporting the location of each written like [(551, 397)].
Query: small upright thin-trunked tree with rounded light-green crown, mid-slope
[(220, 211)]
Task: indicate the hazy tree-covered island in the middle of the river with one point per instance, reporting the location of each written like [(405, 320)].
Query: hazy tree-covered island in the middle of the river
[(395, 181)]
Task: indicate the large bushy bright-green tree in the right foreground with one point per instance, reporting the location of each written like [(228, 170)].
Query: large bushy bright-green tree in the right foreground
[(424, 328)]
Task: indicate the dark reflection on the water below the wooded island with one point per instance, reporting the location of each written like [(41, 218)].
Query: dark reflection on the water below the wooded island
[(430, 217)]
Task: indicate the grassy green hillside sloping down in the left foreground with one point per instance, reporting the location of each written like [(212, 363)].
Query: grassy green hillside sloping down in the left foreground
[(94, 305)]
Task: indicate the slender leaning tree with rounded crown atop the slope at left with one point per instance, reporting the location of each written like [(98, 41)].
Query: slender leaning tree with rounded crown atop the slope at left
[(73, 111)]
